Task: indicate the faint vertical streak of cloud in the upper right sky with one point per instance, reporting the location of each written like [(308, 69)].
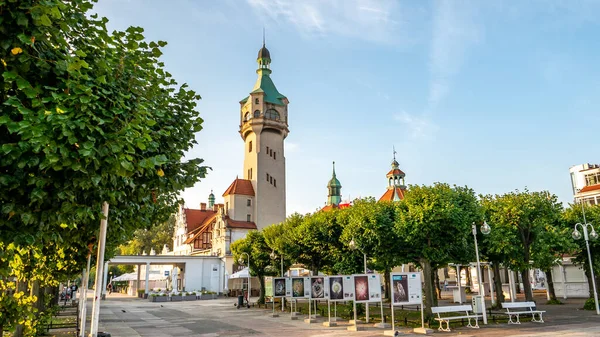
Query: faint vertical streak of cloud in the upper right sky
[(454, 32)]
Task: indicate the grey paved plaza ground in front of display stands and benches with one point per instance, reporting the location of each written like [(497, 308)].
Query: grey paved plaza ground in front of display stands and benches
[(124, 316)]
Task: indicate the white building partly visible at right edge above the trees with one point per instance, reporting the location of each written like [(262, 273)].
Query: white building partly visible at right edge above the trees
[(585, 180)]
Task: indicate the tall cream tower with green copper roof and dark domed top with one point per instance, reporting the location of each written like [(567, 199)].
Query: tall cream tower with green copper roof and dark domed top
[(264, 127)]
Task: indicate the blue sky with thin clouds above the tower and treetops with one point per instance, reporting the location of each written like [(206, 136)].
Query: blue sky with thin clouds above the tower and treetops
[(495, 95)]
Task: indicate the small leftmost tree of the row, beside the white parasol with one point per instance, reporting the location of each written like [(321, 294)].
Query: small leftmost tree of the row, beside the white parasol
[(261, 264)]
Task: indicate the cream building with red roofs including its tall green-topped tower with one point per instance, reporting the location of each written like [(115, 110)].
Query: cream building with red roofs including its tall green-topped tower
[(259, 199)]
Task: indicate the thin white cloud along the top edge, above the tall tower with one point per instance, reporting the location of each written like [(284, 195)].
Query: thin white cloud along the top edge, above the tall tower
[(371, 20)]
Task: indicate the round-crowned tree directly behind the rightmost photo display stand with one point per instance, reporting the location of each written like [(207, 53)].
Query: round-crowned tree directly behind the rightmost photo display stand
[(435, 223)]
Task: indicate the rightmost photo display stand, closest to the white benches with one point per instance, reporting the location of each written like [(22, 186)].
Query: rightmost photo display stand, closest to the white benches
[(407, 289)]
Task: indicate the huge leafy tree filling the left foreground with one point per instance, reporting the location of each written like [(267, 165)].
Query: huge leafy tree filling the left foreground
[(87, 117)]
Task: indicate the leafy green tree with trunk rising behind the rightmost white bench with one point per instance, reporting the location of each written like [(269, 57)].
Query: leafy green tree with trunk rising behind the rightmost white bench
[(523, 230)]
